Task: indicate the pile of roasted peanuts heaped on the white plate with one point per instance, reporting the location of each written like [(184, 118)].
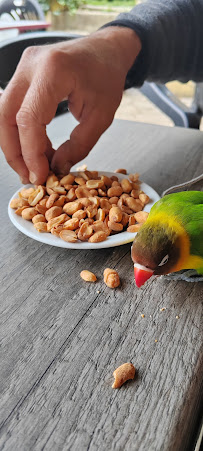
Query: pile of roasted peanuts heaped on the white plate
[(85, 207)]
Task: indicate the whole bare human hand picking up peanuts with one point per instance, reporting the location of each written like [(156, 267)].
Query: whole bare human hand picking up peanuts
[(90, 72)]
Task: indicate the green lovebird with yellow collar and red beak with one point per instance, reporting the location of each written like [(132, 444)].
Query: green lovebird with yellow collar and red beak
[(172, 237)]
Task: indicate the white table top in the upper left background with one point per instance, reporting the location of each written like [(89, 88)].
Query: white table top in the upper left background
[(24, 25)]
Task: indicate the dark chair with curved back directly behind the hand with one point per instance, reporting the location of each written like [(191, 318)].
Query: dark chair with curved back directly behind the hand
[(12, 49)]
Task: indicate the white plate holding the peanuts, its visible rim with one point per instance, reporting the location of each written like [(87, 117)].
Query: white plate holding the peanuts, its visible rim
[(28, 229)]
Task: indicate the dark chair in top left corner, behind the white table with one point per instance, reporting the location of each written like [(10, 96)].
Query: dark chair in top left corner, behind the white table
[(20, 10)]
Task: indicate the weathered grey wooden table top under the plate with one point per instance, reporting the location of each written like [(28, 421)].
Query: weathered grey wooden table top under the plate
[(61, 339)]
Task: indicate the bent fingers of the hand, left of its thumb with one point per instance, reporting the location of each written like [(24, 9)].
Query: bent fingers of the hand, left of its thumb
[(27, 105)]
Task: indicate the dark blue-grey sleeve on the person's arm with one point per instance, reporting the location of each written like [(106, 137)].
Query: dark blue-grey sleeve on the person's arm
[(171, 32)]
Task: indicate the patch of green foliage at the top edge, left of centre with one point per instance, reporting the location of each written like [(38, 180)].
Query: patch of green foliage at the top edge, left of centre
[(57, 6)]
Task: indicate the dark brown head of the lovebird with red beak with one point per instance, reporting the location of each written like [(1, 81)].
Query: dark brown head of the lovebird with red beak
[(155, 251)]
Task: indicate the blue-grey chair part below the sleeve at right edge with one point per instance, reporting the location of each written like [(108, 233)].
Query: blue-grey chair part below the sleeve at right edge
[(167, 102)]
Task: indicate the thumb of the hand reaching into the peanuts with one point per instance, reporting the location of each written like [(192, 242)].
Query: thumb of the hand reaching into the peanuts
[(82, 140)]
